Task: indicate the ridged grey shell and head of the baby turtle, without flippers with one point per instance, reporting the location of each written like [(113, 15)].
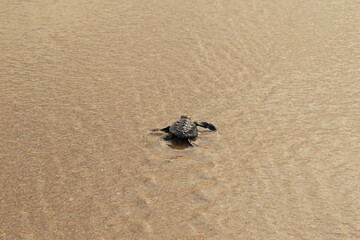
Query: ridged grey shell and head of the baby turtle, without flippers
[(184, 128)]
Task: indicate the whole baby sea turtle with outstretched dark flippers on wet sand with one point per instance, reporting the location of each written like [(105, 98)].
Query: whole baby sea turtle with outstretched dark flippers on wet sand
[(184, 128)]
